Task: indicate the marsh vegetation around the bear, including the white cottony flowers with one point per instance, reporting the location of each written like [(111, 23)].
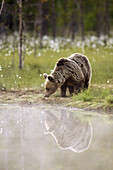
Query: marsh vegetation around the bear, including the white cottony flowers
[(31, 76)]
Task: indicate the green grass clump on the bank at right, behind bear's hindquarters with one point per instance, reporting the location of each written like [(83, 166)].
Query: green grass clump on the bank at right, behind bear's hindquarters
[(96, 97)]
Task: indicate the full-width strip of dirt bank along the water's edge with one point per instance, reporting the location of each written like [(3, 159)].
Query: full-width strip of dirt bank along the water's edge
[(36, 97)]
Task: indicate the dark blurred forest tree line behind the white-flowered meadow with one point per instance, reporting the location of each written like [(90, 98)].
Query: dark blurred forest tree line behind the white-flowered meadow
[(59, 17)]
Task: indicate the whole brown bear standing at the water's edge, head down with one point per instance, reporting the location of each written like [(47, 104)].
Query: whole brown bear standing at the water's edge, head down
[(73, 73)]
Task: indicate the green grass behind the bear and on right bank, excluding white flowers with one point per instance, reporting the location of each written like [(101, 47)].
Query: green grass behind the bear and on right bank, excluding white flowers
[(31, 76)]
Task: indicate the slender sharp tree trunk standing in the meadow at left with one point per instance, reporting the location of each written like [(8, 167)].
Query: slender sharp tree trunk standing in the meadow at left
[(20, 34)]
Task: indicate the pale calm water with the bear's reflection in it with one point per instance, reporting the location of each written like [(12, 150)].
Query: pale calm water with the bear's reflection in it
[(54, 138)]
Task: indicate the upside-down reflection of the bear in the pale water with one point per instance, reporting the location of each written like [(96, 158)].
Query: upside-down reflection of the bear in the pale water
[(69, 132)]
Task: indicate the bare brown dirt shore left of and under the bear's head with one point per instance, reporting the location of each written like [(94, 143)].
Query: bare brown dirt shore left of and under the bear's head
[(30, 97)]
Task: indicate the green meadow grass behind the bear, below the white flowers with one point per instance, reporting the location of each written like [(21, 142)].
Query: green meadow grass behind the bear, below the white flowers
[(31, 75)]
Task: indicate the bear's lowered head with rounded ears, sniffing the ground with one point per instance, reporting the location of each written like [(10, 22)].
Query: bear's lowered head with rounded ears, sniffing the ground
[(50, 85)]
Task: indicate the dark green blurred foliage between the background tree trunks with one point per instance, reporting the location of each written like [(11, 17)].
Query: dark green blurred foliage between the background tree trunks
[(65, 12)]
